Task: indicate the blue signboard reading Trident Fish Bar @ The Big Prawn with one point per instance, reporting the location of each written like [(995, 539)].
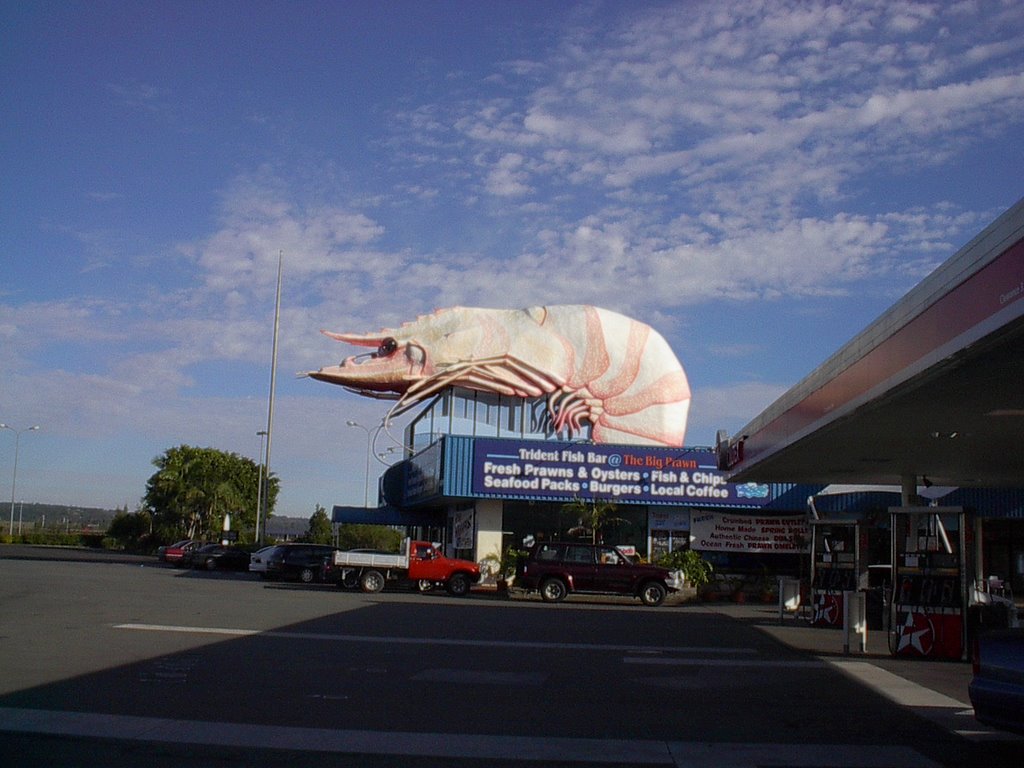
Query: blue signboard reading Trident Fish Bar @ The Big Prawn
[(636, 475)]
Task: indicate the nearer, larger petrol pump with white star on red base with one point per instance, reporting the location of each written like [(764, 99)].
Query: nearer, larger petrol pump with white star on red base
[(930, 580)]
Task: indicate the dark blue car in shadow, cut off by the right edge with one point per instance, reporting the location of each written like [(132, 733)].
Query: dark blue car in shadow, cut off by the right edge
[(998, 688)]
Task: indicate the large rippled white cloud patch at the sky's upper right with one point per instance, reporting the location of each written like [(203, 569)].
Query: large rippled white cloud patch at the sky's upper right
[(692, 96)]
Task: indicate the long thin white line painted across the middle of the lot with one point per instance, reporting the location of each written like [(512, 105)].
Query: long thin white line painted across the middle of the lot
[(718, 651)]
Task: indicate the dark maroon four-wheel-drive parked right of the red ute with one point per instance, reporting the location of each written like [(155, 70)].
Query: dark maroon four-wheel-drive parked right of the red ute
[(558, 569)]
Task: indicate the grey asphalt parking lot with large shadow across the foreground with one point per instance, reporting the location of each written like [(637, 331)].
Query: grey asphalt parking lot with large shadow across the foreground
[(121, 661)]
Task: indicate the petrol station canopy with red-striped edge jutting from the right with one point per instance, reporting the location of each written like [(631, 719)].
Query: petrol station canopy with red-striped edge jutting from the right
[(933, 390)]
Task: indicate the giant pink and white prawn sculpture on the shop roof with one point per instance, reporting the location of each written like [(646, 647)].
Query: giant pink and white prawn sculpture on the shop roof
[(593, 365)]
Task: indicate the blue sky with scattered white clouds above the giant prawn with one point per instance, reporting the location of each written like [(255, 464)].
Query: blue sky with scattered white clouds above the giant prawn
[(758, 181)]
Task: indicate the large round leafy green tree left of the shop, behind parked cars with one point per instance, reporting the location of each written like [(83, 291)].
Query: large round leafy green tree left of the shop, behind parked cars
[(194, 488)]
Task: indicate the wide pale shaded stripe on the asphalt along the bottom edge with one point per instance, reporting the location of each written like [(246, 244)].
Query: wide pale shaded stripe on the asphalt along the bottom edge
[(459, 746)]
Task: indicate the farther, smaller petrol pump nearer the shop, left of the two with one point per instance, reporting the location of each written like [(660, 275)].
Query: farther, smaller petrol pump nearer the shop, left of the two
[(837, 567)]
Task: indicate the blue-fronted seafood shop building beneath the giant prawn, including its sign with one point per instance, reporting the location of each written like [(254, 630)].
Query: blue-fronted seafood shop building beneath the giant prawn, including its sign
[(487, 473)]
